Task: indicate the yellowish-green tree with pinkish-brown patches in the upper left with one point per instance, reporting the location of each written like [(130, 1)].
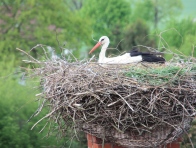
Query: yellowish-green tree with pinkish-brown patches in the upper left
[(31, 22)]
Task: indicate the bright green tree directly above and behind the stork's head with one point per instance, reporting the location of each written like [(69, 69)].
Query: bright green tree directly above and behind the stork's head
[(107, 17)]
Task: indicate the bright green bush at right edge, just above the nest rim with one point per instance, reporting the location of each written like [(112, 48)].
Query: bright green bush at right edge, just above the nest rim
[(180, 37)]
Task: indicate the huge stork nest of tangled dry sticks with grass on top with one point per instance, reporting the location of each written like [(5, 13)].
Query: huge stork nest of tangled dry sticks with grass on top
[(135, 105)]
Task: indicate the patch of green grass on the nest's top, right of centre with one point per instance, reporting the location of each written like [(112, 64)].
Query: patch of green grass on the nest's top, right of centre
[(159, 75)]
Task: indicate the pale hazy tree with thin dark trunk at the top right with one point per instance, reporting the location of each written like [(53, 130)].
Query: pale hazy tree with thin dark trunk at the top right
[(156, 11)]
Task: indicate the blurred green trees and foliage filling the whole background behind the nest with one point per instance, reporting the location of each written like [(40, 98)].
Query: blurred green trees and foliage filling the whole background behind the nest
[(165, 25)]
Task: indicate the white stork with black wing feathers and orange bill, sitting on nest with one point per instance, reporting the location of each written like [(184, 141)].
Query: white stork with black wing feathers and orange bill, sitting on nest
[(133, 56)]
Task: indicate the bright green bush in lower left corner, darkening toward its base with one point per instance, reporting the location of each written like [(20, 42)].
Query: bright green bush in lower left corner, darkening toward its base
[(16, 106)]
